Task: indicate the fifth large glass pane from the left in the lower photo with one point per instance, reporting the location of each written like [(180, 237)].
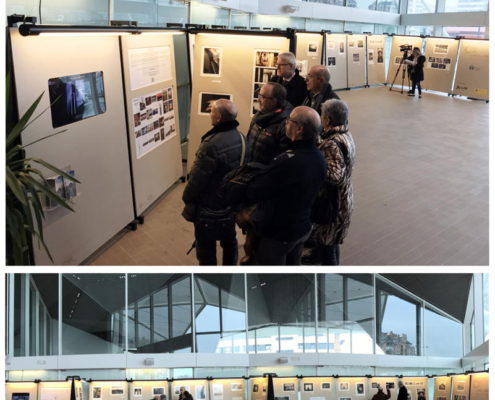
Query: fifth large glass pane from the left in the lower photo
[(279, 308)]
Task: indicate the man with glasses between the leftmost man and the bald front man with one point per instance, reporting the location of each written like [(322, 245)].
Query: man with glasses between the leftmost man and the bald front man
[(266, 135)]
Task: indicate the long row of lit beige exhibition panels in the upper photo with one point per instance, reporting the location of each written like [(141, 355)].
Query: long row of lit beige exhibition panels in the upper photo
[(116, 98)]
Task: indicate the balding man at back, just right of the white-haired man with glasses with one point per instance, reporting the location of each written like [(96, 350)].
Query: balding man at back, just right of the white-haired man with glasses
[(319, 88)]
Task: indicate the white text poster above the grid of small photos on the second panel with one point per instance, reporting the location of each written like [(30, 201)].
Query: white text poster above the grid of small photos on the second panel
[(148, 66)]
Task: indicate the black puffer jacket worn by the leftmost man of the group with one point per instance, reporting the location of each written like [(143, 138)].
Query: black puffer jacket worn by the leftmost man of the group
[(219, 152)]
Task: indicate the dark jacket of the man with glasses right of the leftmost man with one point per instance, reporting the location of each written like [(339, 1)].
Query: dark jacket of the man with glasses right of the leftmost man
[(266, 135)]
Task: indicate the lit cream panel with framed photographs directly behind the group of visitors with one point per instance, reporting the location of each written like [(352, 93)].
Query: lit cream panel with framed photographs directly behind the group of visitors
[(238, 60)]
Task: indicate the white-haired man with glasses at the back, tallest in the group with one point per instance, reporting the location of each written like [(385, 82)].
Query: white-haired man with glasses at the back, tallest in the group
[(288, 76)]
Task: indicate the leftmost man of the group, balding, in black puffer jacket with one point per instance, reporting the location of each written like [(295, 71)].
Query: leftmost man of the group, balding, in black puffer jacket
[(220, 151)]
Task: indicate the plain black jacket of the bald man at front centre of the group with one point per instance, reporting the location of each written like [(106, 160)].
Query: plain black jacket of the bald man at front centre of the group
[(284, 194)]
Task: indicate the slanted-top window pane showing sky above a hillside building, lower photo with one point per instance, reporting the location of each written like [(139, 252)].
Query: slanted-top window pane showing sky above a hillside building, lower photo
[(397, 321)]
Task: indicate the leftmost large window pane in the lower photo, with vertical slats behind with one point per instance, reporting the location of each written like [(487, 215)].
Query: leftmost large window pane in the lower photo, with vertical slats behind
[(35, 314)]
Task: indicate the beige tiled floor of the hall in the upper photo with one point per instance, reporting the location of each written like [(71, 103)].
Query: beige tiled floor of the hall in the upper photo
[(420, 184)]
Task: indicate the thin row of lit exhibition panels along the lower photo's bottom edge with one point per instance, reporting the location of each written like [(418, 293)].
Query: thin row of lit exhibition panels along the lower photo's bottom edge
[(472, 386)]
